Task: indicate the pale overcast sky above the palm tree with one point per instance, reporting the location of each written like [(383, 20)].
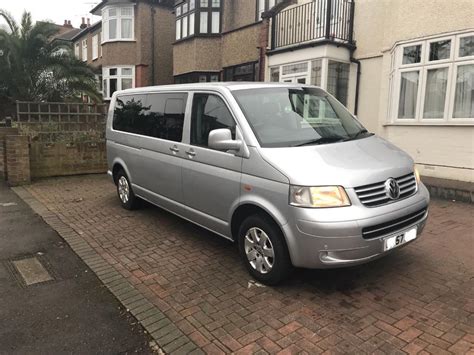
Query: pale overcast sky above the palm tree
[(54, 10)]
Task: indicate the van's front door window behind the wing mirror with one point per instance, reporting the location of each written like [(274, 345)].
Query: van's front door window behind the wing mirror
[(209, 112)]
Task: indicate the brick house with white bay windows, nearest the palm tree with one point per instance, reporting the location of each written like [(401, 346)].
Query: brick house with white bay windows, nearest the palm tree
[(131, 46)]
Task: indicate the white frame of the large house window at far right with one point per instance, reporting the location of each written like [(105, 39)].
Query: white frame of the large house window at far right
[(452, 63)]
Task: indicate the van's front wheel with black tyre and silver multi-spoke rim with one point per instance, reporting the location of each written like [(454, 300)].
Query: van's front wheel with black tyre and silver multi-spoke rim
[(263, 249)]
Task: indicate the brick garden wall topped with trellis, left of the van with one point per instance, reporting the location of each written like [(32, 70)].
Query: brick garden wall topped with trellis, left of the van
[(53, 139)]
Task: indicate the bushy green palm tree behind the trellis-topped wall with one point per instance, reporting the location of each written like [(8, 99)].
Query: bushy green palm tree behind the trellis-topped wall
[(33, 68)]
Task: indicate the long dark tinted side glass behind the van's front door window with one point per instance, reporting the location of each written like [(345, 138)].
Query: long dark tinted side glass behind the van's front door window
[(153, 115)]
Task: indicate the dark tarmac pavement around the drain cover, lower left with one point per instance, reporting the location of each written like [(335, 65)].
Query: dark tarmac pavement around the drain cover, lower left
[(74, 313)]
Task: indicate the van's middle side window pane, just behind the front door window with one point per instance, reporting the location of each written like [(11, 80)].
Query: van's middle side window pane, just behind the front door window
[(166, 116)]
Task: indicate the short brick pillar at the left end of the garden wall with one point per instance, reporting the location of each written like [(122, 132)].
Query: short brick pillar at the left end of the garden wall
[(18, 160)]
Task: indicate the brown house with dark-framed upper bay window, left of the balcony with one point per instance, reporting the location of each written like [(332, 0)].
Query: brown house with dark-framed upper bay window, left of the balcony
[(219, 40)]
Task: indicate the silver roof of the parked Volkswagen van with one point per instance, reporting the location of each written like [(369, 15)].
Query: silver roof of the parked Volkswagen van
[(231, 85)]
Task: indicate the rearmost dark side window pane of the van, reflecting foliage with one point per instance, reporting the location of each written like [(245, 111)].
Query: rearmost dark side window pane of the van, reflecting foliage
[(129, 114)]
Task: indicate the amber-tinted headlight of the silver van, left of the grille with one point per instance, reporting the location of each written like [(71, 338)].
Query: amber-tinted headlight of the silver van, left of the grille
[(318, 196)]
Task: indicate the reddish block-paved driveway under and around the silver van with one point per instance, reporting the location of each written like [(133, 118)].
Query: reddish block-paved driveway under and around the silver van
[(417, 300)]
